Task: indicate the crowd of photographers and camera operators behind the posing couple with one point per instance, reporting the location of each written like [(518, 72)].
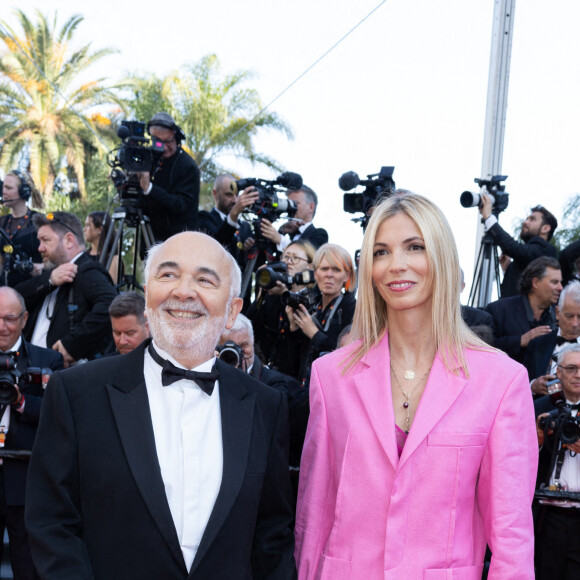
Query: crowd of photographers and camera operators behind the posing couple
[(60, 306)]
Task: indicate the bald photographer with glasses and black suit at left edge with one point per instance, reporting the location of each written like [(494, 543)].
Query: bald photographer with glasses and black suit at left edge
[(18, 424)]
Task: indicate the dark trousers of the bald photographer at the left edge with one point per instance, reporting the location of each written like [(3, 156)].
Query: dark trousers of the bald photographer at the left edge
[(12, 518)]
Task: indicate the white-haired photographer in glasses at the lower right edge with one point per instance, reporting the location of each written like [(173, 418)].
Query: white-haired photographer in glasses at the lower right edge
[(558, 522)]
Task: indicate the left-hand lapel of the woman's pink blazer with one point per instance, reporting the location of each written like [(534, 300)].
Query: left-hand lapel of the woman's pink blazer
[(373, 385)]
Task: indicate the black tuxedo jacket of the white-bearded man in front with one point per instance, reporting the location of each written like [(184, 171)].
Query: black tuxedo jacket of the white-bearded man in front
[(96, 504)]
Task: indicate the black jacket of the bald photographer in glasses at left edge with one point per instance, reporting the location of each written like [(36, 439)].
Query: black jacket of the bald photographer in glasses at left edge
[(22, 430)]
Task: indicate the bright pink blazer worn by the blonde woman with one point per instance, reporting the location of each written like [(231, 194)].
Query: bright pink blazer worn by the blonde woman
[(466, 475)]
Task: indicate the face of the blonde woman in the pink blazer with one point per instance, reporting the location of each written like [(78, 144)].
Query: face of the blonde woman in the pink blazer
[(400, 266)]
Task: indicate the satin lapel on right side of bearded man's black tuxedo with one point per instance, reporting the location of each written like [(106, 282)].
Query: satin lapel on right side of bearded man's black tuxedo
[(237, 412)]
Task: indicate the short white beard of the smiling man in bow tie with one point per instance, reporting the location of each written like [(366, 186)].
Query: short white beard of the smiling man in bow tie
[(174, 337)]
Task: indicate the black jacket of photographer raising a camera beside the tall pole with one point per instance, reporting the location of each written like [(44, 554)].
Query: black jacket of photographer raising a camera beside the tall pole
[(522, 255)]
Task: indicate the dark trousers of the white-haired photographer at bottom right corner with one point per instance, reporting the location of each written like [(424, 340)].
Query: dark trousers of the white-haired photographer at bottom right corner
[(558, 544)]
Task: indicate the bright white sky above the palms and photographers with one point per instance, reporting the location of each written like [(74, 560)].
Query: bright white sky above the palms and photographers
[(408, 88)]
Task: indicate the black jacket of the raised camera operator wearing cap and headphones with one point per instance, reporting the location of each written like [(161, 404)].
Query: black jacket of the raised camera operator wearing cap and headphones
[(173, 201)]
